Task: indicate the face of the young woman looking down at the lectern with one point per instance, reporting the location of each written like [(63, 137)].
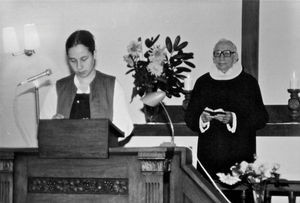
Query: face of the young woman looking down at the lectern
[(81, 60)]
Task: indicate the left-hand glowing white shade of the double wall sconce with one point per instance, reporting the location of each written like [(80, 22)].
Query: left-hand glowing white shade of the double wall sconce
[(10, 41)]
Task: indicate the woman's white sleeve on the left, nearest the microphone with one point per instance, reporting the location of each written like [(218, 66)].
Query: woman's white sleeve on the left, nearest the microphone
[(48, 109)]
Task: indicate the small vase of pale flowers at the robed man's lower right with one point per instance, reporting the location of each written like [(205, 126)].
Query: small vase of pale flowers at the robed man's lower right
[(253, 174)]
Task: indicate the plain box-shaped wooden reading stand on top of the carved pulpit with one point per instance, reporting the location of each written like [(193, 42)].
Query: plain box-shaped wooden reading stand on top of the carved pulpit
[(76, 138)]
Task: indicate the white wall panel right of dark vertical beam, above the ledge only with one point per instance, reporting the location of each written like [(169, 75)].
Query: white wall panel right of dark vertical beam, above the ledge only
[(279, 39)]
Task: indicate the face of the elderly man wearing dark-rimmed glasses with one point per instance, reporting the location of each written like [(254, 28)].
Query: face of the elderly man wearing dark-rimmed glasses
[(224, 56)]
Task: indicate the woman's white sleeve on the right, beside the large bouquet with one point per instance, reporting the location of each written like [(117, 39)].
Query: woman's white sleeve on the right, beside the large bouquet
[(121, 116)]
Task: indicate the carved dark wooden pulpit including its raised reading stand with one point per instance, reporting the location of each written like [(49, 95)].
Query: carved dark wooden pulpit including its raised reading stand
[(75, 164)]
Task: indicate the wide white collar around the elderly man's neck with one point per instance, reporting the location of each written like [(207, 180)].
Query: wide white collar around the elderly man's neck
[(233, 72)]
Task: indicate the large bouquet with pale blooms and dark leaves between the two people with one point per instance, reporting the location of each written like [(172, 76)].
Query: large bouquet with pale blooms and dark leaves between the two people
[(160, 67)]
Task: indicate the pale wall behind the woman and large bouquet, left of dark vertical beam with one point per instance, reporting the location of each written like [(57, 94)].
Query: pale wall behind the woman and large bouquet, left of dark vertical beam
[(114, 23)]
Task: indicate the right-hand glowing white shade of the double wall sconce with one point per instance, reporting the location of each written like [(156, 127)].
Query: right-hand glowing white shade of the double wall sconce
[(31, 37)]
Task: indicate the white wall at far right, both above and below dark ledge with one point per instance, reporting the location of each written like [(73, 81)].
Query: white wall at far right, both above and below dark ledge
[(278, 57)]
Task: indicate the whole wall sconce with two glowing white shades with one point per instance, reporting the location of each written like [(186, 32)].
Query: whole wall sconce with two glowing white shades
[(31, 40)]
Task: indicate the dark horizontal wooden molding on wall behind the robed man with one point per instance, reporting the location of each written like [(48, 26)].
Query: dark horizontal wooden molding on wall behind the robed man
[(280, 124)]
